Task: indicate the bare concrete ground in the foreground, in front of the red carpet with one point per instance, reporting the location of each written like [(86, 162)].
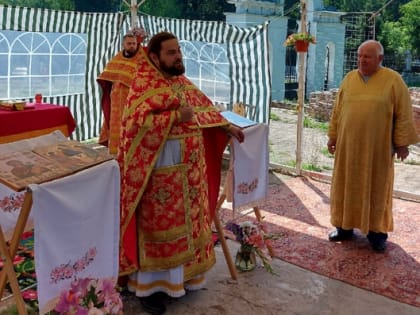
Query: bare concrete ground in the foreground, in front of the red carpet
[(295, 291)]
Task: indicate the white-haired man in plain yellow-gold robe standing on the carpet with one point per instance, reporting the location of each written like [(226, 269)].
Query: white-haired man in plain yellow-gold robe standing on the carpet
[(371, 124)]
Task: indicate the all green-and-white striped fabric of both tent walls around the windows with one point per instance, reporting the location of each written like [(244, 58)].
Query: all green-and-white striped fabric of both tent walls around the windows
[(247, 50)]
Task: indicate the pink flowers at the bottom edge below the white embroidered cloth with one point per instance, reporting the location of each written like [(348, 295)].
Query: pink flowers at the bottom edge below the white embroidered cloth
[(89, 296)]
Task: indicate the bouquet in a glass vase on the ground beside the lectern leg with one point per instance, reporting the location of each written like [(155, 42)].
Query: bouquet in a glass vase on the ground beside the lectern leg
[(254, 239)]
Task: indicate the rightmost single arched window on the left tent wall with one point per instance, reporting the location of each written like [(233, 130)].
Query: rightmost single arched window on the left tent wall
[(68, 59)]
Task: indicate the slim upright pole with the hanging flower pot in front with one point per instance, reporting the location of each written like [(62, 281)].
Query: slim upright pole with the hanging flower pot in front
[(301, 93)]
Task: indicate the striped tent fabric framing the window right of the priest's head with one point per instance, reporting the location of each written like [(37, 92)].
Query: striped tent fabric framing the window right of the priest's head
[(247, 50)]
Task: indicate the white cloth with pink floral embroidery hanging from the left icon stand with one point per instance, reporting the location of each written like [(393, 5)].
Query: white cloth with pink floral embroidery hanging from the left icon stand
[(76, 229)]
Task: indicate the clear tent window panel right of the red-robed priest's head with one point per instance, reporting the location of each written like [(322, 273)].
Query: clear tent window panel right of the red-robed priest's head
[(208, 67)]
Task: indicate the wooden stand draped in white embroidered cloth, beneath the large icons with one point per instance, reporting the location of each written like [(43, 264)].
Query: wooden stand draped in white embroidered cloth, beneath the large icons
[(75, 235)]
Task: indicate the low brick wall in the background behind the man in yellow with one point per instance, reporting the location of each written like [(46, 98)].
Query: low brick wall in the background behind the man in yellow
[(320, 105)]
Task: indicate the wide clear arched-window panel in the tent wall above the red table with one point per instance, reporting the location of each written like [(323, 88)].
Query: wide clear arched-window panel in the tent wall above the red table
[(49, 63)]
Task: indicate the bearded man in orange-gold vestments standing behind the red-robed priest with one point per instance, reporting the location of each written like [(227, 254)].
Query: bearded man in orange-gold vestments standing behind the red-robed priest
[(115, 82)]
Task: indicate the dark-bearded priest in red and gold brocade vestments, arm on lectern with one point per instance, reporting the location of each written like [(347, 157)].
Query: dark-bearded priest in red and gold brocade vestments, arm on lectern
[(172, 142)]
